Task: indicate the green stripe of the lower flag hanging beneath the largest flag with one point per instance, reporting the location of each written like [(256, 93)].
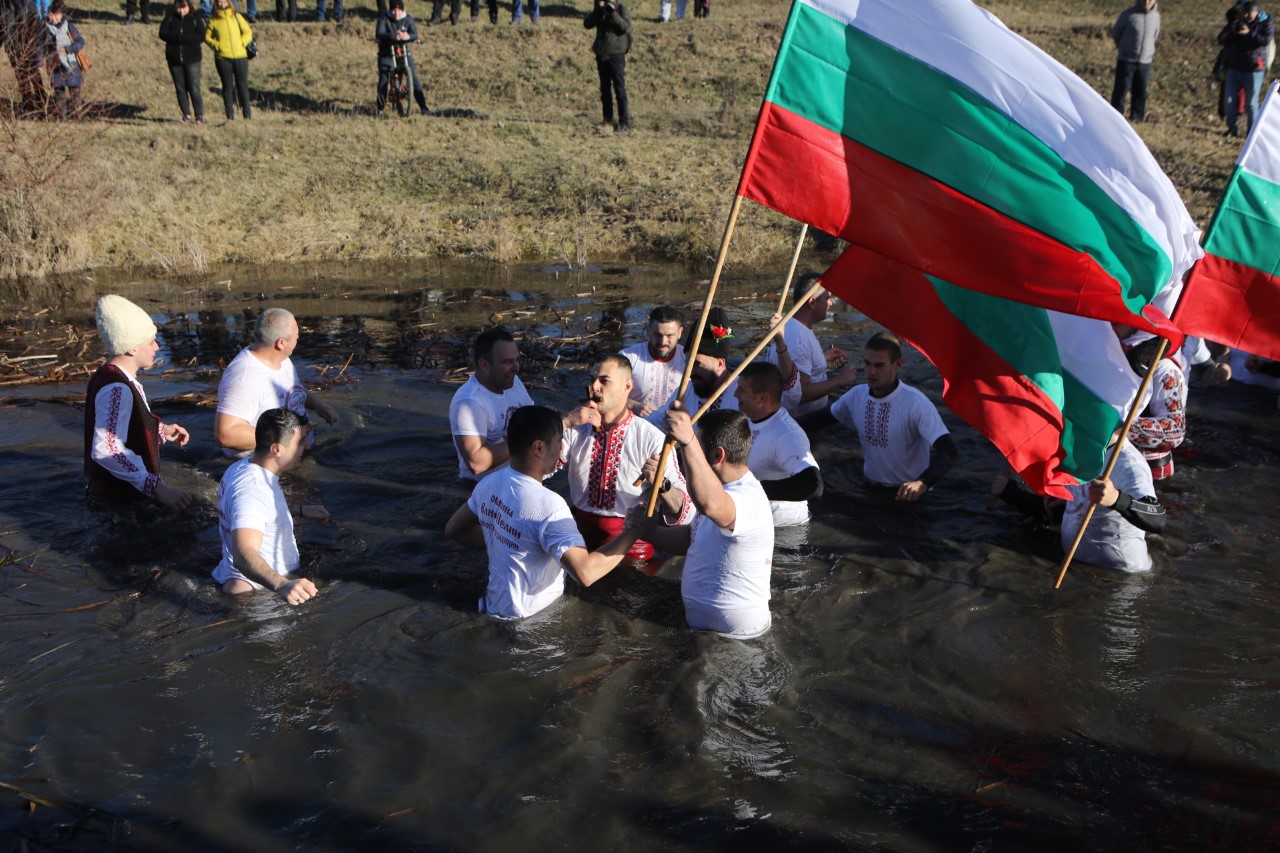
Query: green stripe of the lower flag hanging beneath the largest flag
[(1022, 336)]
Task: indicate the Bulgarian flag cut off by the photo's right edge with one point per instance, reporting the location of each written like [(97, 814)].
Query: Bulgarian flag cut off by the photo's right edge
[(1233, 295)]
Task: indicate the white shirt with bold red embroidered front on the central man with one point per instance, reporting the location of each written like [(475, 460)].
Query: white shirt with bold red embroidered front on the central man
[(604, 467)]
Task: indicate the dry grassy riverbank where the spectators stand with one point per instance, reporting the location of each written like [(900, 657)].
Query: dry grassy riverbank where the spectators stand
[(516, 166)]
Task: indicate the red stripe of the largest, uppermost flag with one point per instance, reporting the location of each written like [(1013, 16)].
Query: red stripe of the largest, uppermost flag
[(817, 176)]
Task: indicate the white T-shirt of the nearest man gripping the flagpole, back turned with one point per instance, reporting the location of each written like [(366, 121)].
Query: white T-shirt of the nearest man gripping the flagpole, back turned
[(726, 577)]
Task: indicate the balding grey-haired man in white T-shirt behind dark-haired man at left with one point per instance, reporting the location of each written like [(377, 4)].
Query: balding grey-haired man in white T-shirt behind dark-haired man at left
[(263, 377)]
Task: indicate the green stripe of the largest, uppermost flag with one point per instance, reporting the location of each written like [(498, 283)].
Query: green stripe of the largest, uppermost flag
[(860, 88)]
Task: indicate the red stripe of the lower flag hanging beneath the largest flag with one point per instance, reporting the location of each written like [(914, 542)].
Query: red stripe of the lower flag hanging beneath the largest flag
[(977, 385)]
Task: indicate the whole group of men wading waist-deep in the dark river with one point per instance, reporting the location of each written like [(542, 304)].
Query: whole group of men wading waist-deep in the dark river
[(744, 472)]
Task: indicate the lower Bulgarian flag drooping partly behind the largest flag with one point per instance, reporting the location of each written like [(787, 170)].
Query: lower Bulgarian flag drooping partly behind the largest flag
[(1048, 389)]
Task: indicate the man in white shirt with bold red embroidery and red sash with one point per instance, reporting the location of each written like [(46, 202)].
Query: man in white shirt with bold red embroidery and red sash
[(606, 462)]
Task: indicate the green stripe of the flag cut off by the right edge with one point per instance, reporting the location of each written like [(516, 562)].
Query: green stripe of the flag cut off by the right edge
[(1247, 225)]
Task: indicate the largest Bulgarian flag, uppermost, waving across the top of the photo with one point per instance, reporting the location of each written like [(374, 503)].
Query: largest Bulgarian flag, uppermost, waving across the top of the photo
[(932, 135)]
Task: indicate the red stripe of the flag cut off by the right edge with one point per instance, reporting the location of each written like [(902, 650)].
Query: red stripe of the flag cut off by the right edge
[(1233, 304)]
